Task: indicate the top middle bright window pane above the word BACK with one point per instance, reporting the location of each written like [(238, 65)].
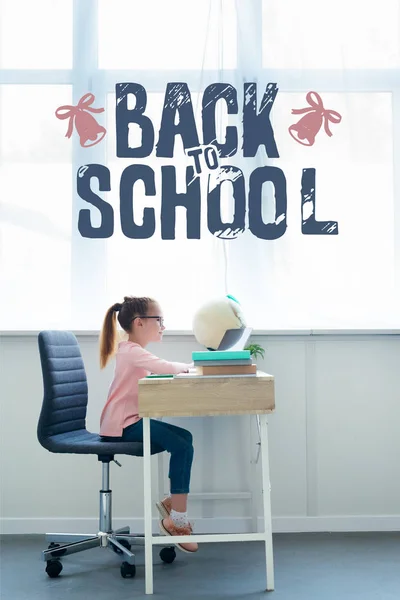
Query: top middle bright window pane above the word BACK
[(173, 35)]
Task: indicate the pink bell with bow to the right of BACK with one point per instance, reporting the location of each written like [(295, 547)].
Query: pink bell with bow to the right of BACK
[(309, 125)]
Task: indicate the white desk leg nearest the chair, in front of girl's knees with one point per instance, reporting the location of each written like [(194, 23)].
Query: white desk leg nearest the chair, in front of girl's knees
[(148, 546)]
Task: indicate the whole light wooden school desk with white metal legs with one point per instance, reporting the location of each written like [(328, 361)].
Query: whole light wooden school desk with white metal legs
[(206, 396)]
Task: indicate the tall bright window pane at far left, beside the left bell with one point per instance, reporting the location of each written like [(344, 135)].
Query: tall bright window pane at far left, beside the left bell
[(36, 200)]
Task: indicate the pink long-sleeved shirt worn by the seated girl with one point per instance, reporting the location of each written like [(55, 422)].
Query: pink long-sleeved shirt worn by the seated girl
[(132, 363)]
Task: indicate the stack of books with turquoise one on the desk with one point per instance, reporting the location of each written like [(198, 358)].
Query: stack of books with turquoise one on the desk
[(224, 362)]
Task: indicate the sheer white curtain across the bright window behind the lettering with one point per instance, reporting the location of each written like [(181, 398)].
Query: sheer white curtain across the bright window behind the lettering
[(349, 54)]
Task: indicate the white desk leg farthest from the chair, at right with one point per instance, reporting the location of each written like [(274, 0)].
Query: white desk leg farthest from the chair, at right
[(267, 503)]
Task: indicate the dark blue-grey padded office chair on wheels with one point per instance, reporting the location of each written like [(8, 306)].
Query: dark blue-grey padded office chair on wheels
[(62, 429)]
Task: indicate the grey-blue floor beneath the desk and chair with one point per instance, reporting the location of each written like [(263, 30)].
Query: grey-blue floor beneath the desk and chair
[(361, 566)]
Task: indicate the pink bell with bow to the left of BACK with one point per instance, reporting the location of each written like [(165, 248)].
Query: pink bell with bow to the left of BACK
[(90, 132)]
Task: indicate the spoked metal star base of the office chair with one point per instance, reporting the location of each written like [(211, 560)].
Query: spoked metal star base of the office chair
[(71, 543)]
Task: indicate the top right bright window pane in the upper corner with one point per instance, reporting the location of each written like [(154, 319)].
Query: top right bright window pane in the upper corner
[(310, 35)]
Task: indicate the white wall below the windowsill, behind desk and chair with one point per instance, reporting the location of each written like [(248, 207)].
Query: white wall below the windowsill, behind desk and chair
[(334, 442)]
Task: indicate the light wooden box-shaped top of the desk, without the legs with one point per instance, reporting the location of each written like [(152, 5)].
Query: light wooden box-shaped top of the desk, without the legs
[(207, 395)]
